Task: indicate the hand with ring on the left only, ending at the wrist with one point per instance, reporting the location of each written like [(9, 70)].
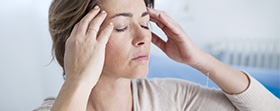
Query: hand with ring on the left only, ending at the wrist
[(85, 48)]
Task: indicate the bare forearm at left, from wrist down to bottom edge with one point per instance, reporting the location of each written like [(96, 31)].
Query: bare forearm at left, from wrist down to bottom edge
[(73, 96)]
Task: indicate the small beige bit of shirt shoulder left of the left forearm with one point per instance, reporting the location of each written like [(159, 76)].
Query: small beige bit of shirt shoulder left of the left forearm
[(46, 105)]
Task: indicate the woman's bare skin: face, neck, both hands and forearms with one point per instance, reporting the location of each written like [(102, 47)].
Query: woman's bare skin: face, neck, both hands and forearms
[(99, 61)]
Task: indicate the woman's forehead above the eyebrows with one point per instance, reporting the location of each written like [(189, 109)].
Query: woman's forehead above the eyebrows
[(136, 7)]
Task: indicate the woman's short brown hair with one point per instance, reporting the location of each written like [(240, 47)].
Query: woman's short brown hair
[(63, 15)]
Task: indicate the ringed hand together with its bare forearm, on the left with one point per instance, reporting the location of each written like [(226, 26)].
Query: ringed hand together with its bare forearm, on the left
[(83, 61)]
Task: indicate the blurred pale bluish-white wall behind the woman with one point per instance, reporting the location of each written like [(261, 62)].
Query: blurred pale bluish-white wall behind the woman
[(25, 44)]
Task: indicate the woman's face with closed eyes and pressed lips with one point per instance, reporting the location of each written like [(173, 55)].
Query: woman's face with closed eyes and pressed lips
[(127, 51)]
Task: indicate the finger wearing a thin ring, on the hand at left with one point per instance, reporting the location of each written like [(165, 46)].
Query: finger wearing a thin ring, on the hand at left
[(94, 25)]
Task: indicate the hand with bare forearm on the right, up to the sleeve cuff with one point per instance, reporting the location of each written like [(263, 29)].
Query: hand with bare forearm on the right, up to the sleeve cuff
[(180, 48)]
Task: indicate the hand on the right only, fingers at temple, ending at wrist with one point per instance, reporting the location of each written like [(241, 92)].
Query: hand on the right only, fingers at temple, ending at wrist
[(179, 46)]
